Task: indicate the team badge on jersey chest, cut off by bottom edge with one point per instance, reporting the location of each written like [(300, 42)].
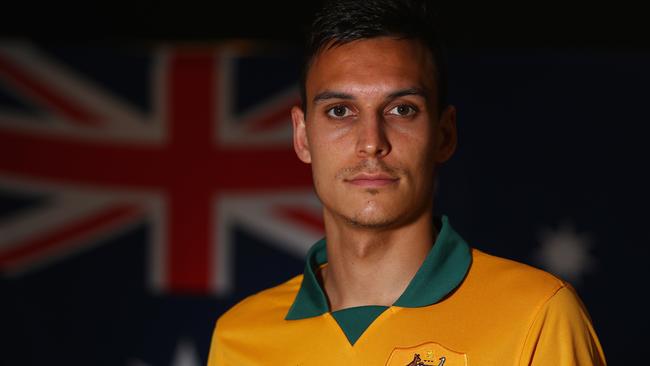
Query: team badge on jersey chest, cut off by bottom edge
[(426, 354)]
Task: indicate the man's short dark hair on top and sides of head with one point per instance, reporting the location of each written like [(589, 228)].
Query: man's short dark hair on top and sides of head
[(342, 21)]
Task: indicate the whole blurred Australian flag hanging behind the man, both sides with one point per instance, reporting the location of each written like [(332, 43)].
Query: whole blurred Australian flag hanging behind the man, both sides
[(144, 190)]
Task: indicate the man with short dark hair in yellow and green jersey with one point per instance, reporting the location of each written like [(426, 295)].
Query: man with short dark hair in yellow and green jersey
[(391, 284)]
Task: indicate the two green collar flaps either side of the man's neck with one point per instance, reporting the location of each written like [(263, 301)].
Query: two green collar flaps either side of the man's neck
[(443, 270)]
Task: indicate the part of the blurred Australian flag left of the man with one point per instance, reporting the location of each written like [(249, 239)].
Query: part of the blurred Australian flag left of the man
[(142, 192)]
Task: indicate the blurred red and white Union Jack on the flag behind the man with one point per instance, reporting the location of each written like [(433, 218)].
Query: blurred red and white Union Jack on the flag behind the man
[(208, 146)]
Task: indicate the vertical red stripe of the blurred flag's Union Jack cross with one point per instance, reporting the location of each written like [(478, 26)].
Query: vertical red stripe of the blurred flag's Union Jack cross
[(190, 99)]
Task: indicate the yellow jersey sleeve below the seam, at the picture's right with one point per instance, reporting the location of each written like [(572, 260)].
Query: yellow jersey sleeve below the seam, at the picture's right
[(562, 334)]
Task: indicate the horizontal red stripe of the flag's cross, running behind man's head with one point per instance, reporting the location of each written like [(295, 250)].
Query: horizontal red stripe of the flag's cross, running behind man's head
[(107, 164)]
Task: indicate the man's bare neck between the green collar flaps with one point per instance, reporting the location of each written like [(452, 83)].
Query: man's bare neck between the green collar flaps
[(372, 266)]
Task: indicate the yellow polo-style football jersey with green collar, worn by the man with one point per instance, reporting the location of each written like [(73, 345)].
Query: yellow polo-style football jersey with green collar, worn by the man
[(462, 307)]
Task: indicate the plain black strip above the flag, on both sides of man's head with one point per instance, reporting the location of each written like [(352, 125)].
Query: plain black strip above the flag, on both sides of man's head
[(620, 25)]
